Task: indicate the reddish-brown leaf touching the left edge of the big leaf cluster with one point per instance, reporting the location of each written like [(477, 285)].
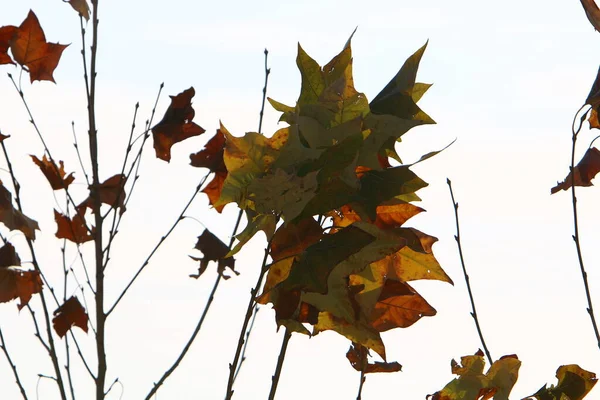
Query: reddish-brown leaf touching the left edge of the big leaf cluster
[(211, 157)]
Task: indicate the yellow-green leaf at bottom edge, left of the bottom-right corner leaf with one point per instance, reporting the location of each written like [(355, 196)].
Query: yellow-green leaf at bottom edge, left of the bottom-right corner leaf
[(473, 384)]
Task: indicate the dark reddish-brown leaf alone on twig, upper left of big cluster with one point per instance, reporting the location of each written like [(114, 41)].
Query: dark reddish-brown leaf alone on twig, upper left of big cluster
[(176, 124)]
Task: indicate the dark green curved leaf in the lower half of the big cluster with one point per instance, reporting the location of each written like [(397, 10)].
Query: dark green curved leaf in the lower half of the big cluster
[(311, 270)]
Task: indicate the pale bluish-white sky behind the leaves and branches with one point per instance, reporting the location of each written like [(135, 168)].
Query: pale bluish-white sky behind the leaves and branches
[(508, 77)]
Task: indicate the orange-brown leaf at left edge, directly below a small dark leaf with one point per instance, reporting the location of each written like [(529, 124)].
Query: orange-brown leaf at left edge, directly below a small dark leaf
[(17, 283)]
